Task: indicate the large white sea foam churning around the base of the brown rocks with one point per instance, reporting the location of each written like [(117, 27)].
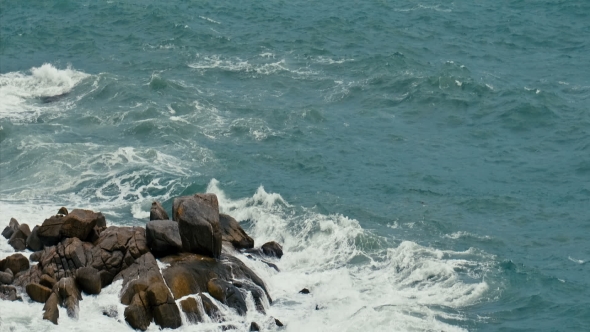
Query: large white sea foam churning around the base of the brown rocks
[(397, 288)]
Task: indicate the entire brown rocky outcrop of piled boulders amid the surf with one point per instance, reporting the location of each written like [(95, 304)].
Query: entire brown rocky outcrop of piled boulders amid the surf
[(76, 253)]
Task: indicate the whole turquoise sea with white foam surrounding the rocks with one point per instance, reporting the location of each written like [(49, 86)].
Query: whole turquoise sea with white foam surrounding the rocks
[(434, 156)]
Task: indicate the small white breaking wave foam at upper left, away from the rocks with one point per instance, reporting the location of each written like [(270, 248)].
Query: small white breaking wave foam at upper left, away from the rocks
[(18, 90)]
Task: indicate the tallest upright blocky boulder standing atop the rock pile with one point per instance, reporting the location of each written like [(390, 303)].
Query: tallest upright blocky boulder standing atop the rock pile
[(198, 223)]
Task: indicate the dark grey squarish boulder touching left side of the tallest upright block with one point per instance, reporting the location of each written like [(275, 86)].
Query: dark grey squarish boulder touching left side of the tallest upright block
[(163, 237)]
